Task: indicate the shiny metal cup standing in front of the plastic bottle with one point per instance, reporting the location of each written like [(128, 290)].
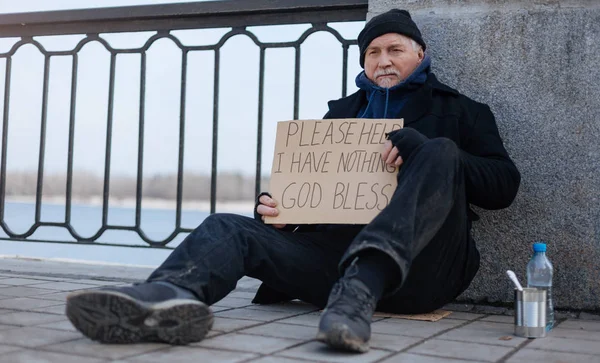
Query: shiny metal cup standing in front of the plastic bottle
[(530, 313)]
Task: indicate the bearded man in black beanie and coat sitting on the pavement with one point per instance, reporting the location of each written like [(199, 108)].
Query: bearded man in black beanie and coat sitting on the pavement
[(414, 257)]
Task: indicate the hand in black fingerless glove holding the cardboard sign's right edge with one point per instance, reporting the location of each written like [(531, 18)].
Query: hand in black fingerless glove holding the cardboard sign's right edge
[(400, 144)]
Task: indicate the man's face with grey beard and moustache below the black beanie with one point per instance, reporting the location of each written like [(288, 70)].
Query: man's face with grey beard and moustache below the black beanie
[(391, 58)]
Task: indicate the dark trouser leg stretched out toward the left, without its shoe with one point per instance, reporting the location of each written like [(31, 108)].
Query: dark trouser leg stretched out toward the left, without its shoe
[(228, 247)]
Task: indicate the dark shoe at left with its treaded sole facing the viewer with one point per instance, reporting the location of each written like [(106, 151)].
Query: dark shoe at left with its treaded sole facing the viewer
[(148, 312)]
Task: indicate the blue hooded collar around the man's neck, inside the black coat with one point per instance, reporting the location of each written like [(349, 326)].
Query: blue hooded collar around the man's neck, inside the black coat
[(387, 102)]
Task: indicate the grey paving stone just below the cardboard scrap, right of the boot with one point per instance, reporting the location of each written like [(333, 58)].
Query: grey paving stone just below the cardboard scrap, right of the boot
[(413, 328)]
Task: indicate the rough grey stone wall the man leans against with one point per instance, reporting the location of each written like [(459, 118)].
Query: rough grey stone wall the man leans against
[(537, 64)]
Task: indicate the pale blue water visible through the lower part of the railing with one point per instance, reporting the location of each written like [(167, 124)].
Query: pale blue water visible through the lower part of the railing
[(86, 220)]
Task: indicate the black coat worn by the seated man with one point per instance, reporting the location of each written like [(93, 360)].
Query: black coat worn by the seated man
[(436, 110)]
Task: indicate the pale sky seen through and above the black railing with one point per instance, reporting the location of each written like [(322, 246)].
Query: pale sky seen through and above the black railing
[(321, 78)]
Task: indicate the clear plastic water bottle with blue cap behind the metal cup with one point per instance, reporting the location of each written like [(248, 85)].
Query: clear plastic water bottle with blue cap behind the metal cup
[(539, 275)]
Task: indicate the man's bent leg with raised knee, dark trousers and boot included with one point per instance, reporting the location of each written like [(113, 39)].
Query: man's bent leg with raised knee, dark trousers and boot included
[(415, 252)]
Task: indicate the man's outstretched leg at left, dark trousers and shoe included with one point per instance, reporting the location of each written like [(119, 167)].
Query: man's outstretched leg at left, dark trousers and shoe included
[(172, 306)]
